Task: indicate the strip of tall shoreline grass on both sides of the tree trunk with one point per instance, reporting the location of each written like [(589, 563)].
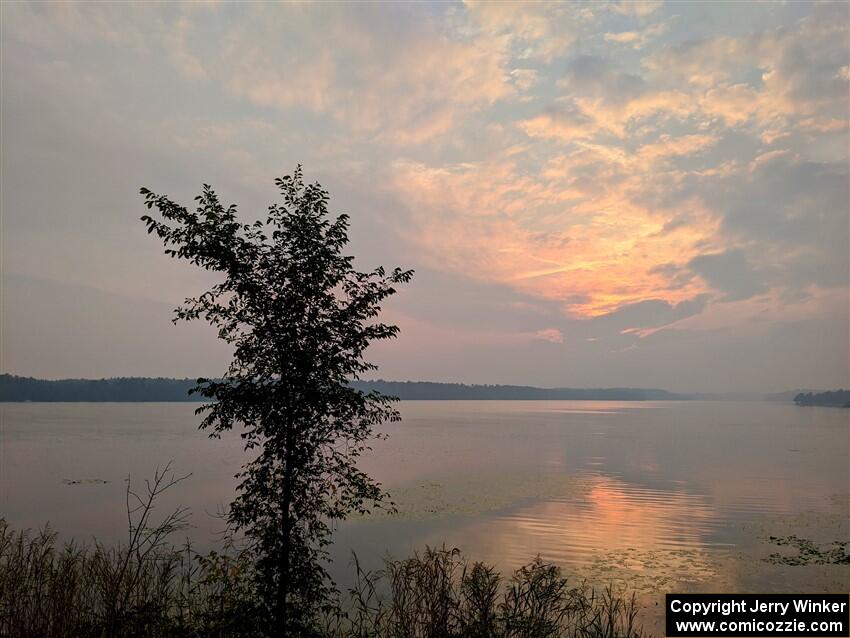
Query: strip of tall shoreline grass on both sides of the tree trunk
[(53, 591)]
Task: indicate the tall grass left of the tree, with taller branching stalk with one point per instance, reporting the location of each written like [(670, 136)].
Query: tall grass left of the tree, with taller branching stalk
[(143, 587)]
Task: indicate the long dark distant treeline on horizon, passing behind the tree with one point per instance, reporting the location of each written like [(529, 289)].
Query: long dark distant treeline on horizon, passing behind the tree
[(160, 389)]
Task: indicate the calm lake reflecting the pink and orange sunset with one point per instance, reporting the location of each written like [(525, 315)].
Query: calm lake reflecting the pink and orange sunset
[(661, 496)]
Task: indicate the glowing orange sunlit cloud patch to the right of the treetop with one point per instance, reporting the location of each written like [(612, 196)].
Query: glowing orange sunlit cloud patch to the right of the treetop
[(585, 243)]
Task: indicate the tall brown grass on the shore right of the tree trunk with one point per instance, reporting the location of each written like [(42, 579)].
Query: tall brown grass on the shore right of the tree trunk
[(439, 594)]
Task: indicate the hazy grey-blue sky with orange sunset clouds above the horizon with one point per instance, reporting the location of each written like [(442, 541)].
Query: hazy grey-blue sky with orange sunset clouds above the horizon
[(625, 194)]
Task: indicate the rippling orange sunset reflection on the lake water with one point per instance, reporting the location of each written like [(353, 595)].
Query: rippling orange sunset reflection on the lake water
[(600, 515)]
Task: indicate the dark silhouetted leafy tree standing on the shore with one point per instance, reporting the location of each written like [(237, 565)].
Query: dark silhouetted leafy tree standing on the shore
[(299, 317)]
